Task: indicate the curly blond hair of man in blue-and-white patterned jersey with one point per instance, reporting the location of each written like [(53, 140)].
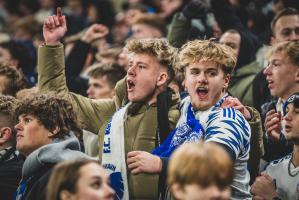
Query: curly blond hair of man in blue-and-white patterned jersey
[(207, 50)]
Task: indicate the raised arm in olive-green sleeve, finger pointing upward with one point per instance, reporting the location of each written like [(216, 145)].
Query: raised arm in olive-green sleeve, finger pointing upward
[(51, 76)]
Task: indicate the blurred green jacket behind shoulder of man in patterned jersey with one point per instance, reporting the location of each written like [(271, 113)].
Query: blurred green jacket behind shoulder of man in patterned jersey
[(240, 85)]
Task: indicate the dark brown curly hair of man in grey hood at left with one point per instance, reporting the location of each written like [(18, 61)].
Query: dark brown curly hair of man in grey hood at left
[(52, 111)]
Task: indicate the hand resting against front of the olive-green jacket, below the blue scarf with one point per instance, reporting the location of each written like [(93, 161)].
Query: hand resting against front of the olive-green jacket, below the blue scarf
[(143, 162)]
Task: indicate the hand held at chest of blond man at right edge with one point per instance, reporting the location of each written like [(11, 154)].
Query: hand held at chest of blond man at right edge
[(273, 124)]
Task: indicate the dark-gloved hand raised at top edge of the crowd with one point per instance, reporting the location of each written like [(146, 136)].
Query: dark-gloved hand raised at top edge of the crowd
[(195, 9)]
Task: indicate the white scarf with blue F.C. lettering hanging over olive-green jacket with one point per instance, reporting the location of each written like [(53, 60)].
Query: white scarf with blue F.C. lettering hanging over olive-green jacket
[(113, 159)]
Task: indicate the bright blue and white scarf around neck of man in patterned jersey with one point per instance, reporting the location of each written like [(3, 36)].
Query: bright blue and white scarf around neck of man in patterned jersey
[(189, 130)]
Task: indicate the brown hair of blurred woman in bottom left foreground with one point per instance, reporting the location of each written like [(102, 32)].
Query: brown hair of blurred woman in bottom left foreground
[(65, 176)]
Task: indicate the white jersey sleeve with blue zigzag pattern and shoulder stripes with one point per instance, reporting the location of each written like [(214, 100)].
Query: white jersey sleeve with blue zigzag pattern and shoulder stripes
[(228, 127)]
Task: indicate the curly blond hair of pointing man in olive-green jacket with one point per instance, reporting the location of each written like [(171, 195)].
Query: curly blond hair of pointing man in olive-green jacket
[(158, 48)]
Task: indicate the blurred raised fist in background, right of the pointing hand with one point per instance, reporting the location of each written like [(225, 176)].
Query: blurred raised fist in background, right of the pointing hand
[(94, 32)]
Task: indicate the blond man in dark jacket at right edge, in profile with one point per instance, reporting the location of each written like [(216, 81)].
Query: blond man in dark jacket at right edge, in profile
[(282, 74)]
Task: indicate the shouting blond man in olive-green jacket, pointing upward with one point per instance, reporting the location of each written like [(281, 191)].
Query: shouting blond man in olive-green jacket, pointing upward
[(135, 126)]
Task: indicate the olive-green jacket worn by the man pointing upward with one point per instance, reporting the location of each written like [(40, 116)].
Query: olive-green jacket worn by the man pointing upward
[(140, 126)]
